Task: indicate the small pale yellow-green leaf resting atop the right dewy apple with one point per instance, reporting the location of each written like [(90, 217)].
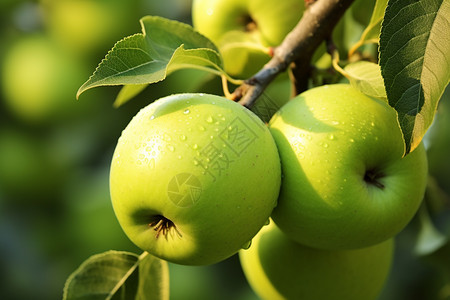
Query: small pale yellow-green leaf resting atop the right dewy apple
[(366, 77)]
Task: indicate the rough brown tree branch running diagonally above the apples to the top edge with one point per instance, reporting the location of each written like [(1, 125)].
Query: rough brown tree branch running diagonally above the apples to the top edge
[(296, 50)]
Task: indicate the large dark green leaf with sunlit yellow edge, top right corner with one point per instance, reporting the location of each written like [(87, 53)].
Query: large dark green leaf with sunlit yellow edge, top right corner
[(415, 62)]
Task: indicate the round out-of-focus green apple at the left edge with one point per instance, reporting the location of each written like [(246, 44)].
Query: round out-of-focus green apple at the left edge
[(39, 81)]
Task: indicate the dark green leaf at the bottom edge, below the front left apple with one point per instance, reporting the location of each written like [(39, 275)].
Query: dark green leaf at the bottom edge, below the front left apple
[(119, 275)]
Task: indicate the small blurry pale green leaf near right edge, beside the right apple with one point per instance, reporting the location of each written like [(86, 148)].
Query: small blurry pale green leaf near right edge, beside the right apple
[(429, 239)]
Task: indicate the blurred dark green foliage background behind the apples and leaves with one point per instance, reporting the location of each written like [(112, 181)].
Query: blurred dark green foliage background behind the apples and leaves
[(55, 153)]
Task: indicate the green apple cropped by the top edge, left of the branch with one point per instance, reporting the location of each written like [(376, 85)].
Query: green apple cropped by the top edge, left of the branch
[(245, 30)]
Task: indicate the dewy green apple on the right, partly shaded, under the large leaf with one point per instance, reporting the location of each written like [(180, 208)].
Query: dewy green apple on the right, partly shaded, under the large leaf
[(332, 140)]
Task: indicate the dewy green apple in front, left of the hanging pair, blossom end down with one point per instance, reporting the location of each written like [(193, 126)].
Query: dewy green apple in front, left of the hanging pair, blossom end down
[(194, 177)]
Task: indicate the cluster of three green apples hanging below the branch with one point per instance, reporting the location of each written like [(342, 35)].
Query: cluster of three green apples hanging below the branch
[(196, 177)]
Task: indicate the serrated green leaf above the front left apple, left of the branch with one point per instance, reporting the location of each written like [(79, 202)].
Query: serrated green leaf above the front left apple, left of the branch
[(163, 47)]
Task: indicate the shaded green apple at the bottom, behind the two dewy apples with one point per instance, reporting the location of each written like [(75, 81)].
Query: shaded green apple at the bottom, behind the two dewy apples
[(278, 268)]
